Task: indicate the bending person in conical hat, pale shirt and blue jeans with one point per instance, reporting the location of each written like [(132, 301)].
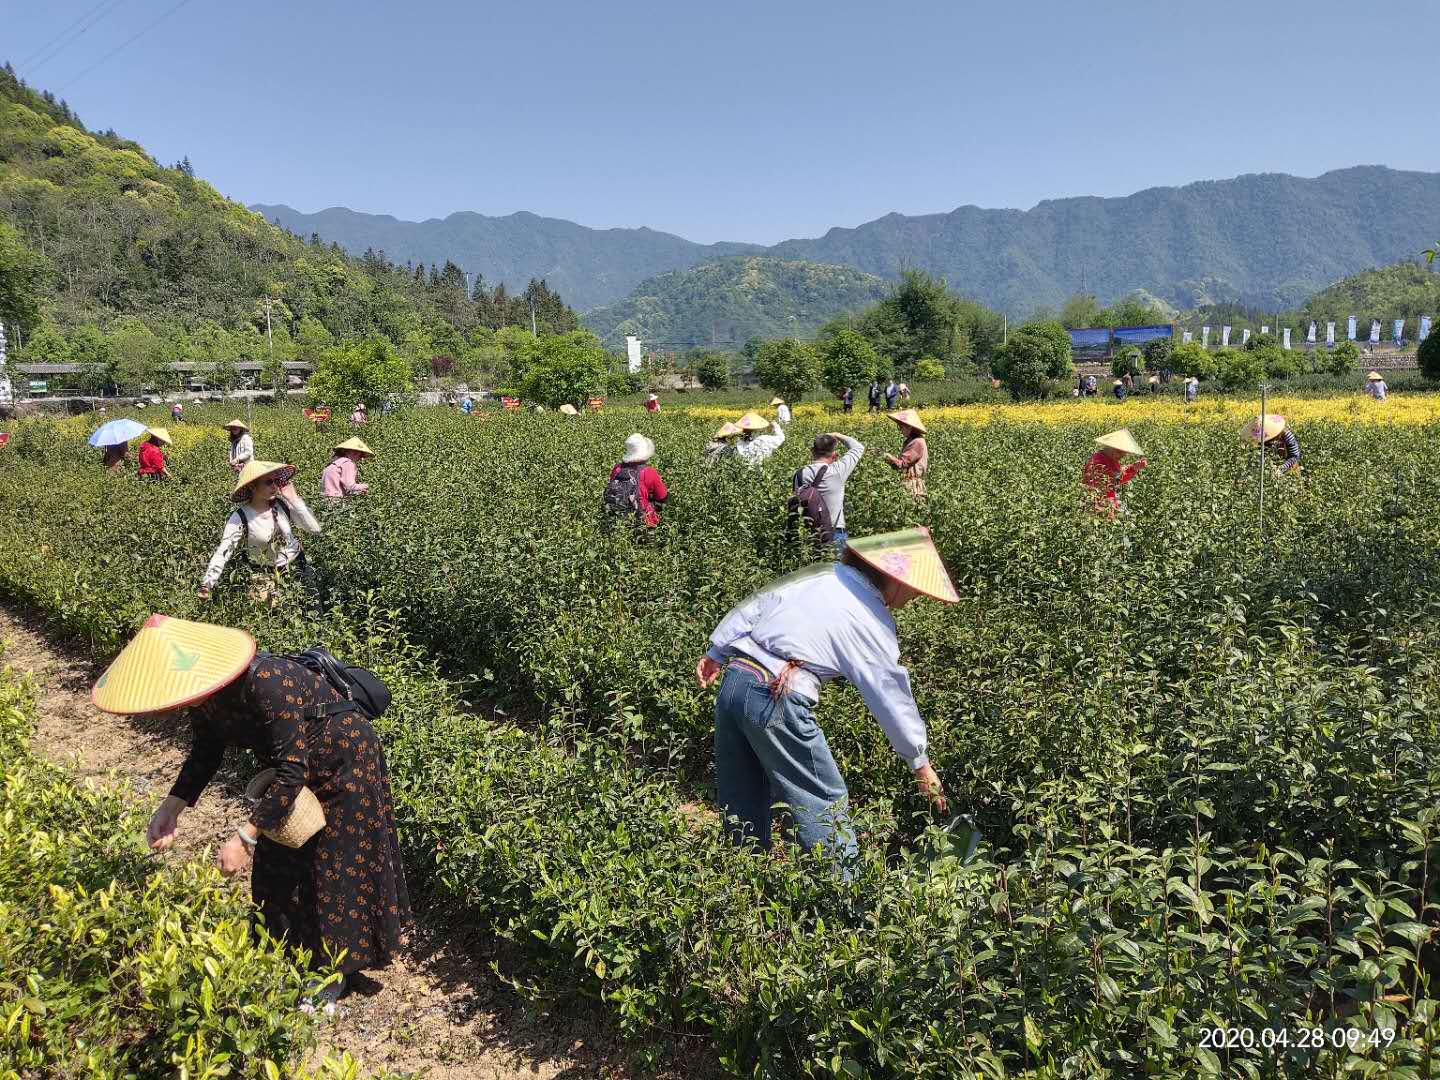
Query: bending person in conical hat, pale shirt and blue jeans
[(775, 650)]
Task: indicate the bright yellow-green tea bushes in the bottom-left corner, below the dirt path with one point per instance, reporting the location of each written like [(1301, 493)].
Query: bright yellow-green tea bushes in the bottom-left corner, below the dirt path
[(113, 966)]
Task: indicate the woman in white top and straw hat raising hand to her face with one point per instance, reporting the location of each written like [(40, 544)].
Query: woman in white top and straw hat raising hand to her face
[(266, 521)]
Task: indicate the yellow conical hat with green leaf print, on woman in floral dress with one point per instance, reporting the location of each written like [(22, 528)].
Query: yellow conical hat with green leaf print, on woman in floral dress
[(172, 663)]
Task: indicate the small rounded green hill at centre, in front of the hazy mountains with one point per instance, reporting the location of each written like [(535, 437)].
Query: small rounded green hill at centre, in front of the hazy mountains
[(732, 300)]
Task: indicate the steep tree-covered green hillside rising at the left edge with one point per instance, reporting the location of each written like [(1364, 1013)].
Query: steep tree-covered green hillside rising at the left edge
[(100, 244)]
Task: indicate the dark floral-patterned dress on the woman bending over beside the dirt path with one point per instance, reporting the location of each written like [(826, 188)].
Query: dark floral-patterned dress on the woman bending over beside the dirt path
[(345, 889)]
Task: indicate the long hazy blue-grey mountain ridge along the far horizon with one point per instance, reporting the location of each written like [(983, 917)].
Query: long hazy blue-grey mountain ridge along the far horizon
[(1261, 240)]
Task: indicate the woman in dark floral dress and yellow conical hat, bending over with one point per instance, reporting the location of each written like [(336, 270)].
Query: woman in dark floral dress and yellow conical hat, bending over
[(328, 872)]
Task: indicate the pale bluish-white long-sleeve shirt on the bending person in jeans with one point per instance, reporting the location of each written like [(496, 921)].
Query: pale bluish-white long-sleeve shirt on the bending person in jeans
[(834, 620)]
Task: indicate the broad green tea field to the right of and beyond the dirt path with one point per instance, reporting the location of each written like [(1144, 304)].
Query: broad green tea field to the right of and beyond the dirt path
[(1203, 755)]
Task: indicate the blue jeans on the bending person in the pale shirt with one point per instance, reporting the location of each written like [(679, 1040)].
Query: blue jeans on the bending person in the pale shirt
[(771, 751)]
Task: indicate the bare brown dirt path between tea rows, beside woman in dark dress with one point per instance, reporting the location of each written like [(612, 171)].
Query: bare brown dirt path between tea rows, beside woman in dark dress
[(440, 1012)]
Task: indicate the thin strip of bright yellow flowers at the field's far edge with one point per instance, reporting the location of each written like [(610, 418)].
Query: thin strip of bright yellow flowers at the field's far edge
[(1400, 410)]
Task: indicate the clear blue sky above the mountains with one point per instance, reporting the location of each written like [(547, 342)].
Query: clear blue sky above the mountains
[(745, 122)]
